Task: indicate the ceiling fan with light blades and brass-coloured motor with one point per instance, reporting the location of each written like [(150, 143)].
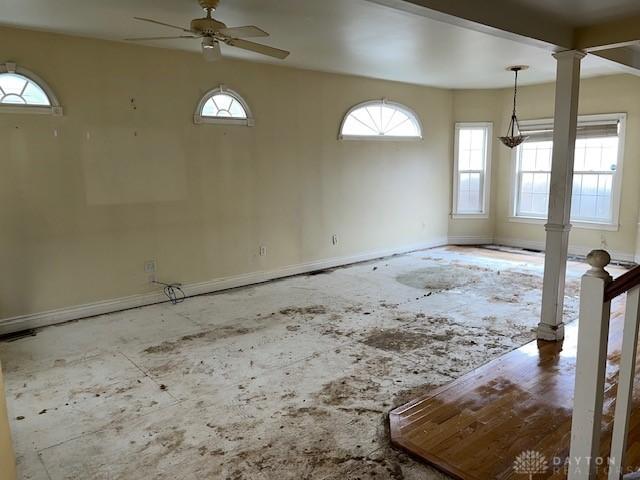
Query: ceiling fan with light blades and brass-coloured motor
[(213, 33)]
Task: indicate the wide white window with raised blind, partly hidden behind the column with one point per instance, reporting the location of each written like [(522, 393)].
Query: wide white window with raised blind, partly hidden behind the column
[(597, 171)]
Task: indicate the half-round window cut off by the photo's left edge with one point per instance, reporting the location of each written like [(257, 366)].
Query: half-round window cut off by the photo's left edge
[(22, 91)]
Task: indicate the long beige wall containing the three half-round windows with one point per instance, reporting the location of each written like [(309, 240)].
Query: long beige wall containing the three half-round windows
[(82, 211)]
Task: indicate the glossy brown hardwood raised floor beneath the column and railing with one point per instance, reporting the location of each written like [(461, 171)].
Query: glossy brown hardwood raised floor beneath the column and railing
[(475, 427)]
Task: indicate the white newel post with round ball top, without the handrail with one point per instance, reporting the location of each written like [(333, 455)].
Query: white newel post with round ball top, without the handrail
[(593, 335)]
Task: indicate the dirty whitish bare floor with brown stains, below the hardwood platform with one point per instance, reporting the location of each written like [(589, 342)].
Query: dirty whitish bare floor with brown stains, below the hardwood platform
[(286, 380)]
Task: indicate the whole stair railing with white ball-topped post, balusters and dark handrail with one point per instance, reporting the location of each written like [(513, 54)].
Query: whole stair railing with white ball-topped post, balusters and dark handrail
[(596, 292)]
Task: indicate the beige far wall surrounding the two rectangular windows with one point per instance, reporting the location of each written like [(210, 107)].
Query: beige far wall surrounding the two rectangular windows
[(612, 94)]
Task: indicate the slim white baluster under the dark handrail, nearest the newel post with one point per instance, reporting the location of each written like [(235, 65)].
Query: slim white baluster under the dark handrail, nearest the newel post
[(625, 384)]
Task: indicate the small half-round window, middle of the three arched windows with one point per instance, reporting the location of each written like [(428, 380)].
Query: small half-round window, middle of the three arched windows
[(222, 105)]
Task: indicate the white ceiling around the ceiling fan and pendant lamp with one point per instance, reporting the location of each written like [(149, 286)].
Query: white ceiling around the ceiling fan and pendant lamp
[(346, 36)]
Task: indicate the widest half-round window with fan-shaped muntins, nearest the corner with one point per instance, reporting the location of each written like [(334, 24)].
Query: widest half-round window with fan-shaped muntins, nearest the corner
[(380, 119)]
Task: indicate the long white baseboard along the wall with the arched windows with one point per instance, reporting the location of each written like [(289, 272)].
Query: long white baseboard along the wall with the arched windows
[(51, 317)]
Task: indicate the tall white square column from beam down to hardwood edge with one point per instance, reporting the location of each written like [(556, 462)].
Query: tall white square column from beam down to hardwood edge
[(551, 326)]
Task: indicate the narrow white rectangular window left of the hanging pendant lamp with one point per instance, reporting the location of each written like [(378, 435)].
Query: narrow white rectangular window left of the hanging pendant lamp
[(472, 170)]
